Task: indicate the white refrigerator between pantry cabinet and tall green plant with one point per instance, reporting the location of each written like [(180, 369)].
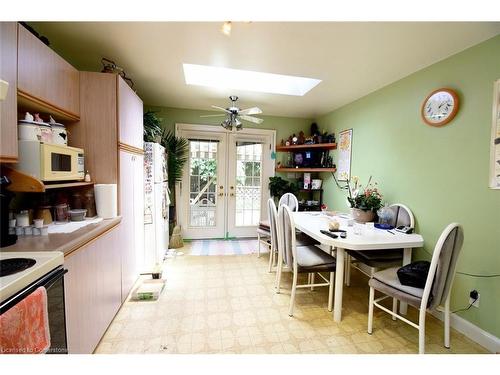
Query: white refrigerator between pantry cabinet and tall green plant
[(156, 203)]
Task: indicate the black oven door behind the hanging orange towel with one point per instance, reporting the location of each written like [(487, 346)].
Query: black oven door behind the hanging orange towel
[(53, 282)]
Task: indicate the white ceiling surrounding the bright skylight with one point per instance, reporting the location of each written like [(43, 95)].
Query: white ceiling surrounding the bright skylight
[(351, 58)]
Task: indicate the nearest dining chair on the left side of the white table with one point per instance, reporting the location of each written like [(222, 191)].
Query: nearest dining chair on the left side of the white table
[(301, 259)]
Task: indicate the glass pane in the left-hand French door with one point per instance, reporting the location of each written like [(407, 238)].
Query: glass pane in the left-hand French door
[(203, 182)]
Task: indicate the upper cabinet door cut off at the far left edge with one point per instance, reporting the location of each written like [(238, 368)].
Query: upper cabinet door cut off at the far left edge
[(8, 107)]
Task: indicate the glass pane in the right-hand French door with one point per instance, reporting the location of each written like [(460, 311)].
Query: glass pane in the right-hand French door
[(248, 179)]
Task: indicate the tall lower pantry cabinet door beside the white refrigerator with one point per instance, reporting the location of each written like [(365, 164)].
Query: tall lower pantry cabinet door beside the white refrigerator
[(132, 212)]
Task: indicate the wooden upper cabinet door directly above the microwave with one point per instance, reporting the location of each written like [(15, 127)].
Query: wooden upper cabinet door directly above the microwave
[(45, 76)]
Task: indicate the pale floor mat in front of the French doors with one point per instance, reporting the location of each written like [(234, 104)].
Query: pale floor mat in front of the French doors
[(222, 247)]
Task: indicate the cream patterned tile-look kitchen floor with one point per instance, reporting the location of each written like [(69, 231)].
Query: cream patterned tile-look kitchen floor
[(228, 304)]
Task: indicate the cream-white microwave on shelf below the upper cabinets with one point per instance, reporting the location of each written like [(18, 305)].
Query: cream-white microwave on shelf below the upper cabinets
[(51, 162)]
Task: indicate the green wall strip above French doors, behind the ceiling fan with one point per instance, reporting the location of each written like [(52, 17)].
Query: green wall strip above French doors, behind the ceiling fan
[(284, 126)]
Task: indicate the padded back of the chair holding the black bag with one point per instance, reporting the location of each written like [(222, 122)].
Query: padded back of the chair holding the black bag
[(443, 266)]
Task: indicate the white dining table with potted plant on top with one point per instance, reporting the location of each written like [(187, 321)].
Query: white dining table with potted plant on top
[(370, 239)]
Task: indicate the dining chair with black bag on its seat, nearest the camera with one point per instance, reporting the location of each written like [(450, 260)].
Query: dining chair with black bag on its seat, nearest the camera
[(436, 293)]
